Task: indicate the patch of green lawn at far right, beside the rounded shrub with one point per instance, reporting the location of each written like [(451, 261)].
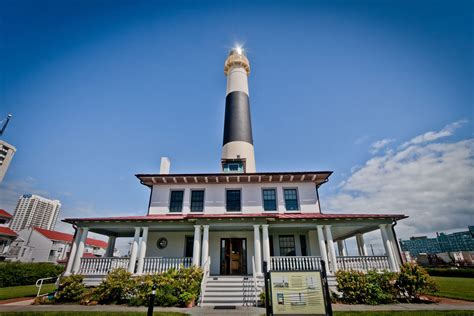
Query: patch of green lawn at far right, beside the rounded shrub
[(460, 288)]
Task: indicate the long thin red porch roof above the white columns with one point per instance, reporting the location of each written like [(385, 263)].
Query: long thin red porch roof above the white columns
[(271, 216)]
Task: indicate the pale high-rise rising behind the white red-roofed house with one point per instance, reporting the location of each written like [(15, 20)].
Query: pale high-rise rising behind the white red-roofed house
[(36, 211)]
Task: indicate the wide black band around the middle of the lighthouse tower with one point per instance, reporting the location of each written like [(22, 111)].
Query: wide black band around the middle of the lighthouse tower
[(237, 124)]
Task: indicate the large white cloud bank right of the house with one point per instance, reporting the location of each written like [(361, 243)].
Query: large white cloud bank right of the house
[(432, 183)]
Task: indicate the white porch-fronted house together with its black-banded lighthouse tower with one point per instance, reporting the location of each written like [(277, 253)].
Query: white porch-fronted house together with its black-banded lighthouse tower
[(232, 221)]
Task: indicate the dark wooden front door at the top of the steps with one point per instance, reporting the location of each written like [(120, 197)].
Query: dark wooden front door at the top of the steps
[(233, 256)]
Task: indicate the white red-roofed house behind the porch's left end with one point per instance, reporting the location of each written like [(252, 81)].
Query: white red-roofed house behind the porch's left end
[(41, 245)]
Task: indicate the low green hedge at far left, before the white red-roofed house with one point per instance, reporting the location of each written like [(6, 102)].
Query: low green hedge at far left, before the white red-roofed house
[(17, 273)]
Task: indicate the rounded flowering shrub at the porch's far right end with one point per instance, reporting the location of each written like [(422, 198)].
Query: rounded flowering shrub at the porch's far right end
[(414, 281)]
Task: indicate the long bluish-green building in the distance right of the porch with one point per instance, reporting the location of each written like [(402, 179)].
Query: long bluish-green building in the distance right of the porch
[(459, 241)]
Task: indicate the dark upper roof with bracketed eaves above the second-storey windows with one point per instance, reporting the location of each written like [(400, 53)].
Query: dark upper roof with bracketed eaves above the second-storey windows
[(318, 177)]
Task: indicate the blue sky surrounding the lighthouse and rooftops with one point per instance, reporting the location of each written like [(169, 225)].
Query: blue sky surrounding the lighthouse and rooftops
[(100, 90)]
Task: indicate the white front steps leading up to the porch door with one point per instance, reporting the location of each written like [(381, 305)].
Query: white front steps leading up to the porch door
[(231, 291)]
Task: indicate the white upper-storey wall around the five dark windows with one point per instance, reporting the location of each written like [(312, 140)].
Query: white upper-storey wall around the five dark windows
[(251, 197)]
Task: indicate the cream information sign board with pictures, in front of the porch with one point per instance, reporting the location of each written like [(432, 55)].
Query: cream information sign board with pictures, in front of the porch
[(297, 293)]
